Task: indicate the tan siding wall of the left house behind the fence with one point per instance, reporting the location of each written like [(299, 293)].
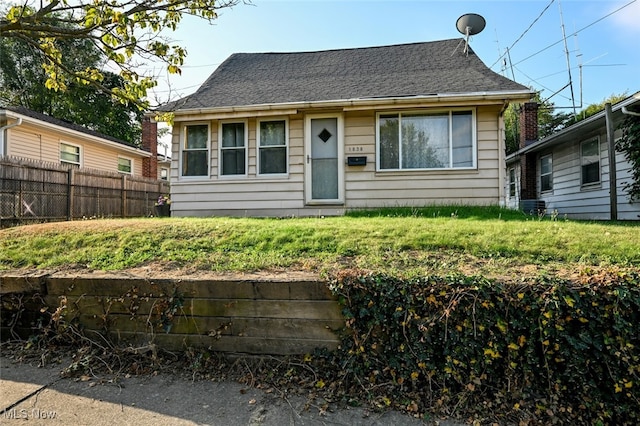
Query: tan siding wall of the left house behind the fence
[(40, 143)]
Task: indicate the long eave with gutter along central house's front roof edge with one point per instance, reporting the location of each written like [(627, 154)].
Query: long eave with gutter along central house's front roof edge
[(355, 104)]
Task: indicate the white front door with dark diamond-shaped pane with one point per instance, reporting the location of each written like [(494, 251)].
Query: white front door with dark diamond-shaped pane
[(324, 159)]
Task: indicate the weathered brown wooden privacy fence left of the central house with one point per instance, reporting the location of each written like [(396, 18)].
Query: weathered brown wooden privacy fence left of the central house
[(34, 191)]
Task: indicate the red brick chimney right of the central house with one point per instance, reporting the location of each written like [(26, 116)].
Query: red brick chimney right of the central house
[(528, 162)]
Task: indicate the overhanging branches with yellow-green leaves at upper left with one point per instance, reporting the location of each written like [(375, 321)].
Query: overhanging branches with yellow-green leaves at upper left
[(125, 31)]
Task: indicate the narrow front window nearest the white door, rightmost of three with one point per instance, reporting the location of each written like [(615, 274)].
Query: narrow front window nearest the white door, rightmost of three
[(272, 147)]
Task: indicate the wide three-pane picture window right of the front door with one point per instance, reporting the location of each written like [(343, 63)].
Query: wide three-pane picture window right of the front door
[(423, 141)]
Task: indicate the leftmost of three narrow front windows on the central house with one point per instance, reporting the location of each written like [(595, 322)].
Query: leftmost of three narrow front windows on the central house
[(195, 150)]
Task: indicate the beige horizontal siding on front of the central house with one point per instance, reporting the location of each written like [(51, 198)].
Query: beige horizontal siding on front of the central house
[(364, 186)]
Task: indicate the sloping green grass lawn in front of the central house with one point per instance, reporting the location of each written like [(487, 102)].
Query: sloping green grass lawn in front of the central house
[(402, 241)]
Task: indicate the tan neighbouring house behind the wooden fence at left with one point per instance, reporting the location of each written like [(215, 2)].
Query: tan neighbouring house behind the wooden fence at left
[(35, 136)]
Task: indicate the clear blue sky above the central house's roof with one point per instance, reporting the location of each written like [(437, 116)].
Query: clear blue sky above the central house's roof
[(606, 46)]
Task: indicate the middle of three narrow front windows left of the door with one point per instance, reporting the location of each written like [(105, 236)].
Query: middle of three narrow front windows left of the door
[(233, 149)]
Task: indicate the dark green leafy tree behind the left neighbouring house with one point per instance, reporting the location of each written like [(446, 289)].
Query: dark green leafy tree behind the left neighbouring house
[(22, 83)]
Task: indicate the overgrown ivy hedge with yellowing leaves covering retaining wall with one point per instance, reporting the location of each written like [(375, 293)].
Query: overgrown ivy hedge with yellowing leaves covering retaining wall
[(551, 351)]
